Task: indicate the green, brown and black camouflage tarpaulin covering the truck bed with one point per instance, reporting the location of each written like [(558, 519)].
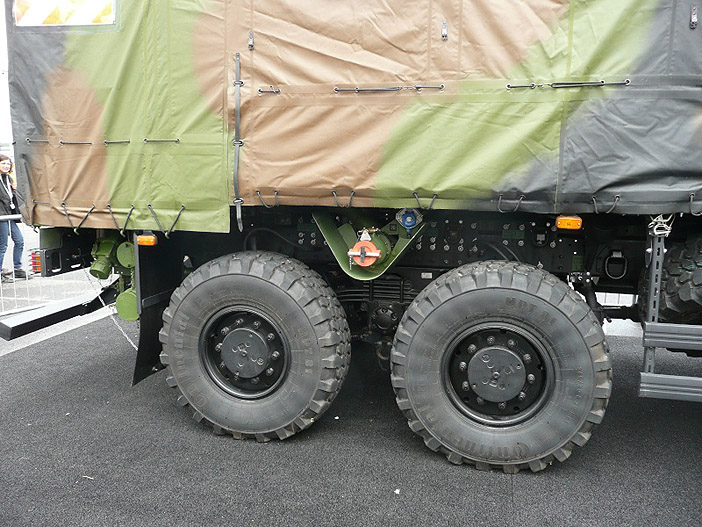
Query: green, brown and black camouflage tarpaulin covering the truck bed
[(135, 109)]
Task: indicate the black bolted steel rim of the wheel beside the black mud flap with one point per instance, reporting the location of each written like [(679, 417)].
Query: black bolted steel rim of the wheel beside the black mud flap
[(244, 352)]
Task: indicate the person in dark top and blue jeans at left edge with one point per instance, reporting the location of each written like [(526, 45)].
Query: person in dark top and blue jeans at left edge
[(8, 206)]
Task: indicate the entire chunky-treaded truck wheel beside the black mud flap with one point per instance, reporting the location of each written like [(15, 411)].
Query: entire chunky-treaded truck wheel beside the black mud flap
[(257, 345)]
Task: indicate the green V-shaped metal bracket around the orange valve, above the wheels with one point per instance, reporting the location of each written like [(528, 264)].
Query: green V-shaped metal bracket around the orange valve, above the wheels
[(340, 239)]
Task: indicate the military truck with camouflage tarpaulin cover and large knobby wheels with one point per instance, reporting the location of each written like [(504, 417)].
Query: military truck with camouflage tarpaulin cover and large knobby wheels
[(452, 181)]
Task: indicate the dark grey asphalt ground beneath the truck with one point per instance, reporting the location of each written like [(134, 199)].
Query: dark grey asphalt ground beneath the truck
[(80, 446)]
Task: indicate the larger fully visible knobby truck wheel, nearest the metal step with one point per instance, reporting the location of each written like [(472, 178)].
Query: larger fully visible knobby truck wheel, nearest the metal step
[(501, 365)]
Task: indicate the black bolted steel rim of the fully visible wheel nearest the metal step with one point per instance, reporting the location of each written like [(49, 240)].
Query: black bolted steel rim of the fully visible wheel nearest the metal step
[(498, 374)]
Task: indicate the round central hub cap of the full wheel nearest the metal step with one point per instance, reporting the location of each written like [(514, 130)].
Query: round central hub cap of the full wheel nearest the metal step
[(496, 374)]
